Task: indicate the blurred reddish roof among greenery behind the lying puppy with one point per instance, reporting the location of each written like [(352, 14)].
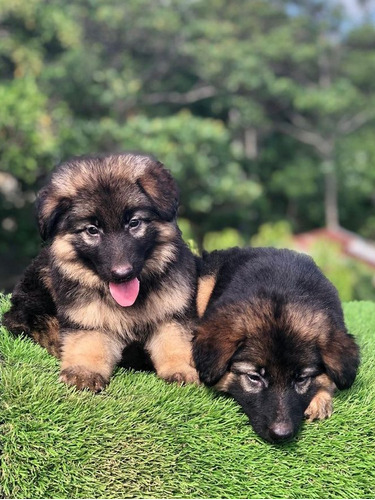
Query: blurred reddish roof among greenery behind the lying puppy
[(350, 243)]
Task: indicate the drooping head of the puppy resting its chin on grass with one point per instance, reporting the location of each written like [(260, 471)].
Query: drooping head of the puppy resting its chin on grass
[(273, 362)]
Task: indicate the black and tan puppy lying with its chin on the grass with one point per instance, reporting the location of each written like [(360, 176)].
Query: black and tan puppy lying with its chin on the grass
[(272, 334)]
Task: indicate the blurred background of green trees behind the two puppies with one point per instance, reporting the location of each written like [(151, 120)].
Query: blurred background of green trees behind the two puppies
[(264, 111)]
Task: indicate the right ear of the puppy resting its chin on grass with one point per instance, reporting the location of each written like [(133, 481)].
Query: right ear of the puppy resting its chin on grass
[(341, 358)]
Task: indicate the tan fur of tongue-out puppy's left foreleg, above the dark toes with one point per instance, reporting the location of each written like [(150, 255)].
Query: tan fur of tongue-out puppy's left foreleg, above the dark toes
[(92, 350)]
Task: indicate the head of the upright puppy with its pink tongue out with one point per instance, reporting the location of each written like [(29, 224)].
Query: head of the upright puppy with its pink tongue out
[(110, 219)]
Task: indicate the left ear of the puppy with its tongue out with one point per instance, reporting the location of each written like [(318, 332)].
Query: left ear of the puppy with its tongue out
[(50, 209)]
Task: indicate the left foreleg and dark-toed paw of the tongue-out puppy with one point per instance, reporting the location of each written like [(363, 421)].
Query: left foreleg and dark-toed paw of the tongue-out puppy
[(88, 358)]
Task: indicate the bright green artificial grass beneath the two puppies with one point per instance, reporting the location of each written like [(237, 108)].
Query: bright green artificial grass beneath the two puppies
[(144, 438)]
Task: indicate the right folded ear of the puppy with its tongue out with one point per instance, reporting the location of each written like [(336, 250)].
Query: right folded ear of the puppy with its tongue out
[(158, 184)]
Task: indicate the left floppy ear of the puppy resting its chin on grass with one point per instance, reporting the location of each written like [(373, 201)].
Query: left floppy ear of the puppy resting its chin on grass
[(215, 342)]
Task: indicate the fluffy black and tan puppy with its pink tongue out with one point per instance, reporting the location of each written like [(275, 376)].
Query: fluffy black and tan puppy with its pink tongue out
[(115, 270)]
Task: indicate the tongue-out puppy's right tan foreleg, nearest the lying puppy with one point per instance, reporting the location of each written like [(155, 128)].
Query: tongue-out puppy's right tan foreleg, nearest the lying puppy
[(171, 353)]
